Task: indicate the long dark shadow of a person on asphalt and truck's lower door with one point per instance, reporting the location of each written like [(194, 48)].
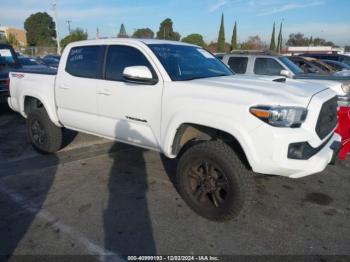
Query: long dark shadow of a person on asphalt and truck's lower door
[(127, 222)]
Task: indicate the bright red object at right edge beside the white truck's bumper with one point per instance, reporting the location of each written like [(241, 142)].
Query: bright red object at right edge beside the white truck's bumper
[(344, 131)]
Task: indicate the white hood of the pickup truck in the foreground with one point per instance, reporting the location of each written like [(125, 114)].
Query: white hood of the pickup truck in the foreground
[(253, 90)]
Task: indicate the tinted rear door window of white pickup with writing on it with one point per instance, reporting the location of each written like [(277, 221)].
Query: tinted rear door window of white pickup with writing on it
[(85, 61)]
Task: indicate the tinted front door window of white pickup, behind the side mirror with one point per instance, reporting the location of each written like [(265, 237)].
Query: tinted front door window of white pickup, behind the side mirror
[(119, 57)]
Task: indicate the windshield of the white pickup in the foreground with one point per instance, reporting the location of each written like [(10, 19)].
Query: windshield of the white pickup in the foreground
[(188, 62)]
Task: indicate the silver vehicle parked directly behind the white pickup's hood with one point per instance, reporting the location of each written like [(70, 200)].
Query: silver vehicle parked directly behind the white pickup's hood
[(260, 64)]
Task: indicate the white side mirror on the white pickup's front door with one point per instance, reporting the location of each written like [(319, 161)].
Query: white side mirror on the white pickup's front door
[(139, 75)]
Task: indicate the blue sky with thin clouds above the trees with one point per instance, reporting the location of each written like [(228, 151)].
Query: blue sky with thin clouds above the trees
[(328, 19)]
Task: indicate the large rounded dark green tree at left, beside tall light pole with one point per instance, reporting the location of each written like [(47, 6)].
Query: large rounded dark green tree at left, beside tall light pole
[(40, 29)]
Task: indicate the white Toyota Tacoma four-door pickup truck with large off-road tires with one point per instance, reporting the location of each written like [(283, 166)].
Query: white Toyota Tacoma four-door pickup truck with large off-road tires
[(180, 100)]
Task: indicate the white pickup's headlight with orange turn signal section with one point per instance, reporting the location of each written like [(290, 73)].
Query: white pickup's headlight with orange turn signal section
[(280, 116)]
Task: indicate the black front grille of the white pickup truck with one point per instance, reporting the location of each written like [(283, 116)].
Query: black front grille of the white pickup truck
[(328, 119)]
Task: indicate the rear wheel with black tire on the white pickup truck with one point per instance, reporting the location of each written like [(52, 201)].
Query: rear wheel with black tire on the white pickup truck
[(44, 136)]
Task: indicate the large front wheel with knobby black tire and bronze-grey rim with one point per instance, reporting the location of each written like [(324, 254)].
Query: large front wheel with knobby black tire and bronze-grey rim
[(214, 182)]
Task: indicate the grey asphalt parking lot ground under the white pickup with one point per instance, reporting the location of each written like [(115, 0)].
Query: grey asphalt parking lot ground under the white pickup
[(96, 197)]
